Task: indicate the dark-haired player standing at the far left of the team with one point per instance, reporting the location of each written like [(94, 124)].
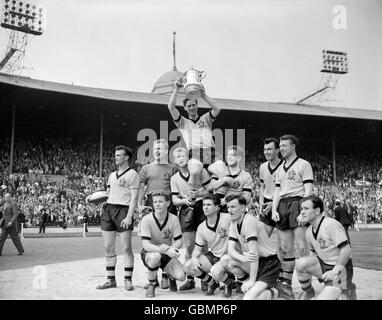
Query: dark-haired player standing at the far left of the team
[(122, 190)]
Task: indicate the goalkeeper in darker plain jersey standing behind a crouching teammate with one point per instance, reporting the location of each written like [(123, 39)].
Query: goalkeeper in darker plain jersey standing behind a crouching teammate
[(156, 176)]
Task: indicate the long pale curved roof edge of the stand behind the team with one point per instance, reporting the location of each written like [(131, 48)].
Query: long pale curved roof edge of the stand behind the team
[(229, 104)]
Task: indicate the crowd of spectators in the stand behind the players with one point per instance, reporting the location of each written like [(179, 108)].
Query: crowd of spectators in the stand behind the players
[(57, 174)]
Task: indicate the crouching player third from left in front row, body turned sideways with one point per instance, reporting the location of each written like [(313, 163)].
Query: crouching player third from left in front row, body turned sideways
[(251, 256)]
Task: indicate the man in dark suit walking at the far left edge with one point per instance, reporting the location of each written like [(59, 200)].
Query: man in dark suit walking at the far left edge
[(8, 223)]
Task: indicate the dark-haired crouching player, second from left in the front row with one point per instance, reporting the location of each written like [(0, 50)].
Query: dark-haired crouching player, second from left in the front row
[(213, 232)]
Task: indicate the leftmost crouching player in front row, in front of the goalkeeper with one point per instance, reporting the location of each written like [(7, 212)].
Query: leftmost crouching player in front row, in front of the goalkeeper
[(161, 241)]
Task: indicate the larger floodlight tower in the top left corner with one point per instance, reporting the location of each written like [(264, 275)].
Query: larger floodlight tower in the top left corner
[(24, 19)]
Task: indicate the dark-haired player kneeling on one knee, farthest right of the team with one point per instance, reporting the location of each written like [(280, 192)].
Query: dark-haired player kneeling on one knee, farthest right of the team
[(330, 260)]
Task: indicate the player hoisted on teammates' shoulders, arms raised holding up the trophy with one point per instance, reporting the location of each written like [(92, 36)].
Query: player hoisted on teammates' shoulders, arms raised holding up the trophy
[(197, 133)]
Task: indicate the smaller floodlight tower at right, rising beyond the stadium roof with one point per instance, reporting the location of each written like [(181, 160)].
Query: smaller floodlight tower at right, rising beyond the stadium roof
[(335, 64)]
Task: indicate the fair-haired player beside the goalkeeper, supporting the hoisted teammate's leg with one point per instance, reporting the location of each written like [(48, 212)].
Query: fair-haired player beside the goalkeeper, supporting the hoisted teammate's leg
[(190, 204)]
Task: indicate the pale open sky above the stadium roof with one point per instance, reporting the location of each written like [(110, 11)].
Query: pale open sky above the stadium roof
[(263, 50)]
